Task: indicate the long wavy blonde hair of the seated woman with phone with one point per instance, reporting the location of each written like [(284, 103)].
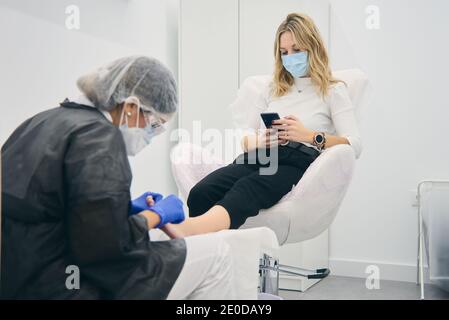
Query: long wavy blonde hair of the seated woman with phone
[(306, 35)]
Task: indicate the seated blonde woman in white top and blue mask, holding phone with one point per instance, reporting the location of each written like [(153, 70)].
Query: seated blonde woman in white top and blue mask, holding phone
[(316, 114)]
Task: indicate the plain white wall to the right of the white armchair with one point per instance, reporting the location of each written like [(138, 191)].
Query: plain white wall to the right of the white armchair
[(403, 130)]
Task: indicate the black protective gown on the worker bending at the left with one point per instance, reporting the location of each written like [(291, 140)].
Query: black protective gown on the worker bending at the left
[(65, 189)]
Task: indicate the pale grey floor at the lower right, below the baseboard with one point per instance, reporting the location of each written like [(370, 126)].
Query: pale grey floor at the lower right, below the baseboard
[(344, 288)]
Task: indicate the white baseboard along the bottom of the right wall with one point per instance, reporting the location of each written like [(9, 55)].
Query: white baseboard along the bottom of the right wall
[(388, 271)]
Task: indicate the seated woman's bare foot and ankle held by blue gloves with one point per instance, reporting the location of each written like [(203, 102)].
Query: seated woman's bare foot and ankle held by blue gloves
[(215, 219)]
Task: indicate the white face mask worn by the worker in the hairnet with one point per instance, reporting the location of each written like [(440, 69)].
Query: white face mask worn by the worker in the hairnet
[(137, 138)]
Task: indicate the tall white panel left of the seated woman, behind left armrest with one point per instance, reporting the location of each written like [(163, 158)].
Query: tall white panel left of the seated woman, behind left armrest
[(208, 54)]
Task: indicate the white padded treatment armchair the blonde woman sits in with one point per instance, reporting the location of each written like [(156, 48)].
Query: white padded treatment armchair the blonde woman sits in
[(310, 207)]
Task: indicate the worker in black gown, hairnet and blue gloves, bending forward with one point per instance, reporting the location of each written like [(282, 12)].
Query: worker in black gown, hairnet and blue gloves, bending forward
[(66, 193)]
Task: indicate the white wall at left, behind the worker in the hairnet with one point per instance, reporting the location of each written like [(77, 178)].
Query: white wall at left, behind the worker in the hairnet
[(40, 60)]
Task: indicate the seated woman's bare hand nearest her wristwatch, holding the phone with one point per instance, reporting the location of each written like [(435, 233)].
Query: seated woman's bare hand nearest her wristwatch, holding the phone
[(291, 128)]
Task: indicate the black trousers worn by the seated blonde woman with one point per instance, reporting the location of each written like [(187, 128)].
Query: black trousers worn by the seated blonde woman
[(241, 188)]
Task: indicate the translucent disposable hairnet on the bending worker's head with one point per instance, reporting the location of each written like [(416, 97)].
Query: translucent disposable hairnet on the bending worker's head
[(142, 77)]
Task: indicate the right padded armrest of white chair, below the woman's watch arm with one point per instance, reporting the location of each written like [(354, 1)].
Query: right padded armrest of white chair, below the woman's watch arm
[(312, 204)]
